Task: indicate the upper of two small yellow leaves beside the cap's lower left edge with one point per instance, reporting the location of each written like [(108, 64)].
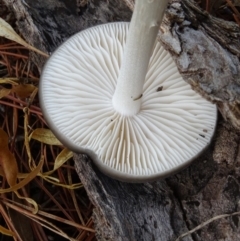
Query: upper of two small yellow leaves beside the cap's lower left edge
[(45, 136)]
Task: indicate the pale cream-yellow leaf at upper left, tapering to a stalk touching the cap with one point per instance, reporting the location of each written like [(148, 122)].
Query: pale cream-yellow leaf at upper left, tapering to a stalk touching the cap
[(8, 32)]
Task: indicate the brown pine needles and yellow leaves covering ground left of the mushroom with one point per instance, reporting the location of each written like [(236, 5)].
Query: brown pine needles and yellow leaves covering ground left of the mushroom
[(38, 180)]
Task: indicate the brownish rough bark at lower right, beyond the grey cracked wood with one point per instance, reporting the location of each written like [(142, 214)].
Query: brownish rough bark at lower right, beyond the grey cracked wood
[(211, 187)]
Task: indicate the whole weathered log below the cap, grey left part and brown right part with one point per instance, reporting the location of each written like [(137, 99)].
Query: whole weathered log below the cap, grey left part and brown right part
[(165, 209)]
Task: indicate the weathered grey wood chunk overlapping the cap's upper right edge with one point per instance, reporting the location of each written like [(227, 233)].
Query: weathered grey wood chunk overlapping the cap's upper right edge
[(207, 51)]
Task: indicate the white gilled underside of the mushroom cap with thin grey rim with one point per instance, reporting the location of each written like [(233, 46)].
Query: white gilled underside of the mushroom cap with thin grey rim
[(173, 127)]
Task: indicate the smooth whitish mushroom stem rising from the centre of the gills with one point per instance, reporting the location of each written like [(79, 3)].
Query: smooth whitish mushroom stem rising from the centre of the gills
[(145, 22)]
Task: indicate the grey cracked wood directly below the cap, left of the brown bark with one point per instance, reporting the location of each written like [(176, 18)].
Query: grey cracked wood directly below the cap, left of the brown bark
[(126, 211)]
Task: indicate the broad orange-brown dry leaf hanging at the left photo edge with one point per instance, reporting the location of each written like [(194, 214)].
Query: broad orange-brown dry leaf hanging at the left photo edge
[(7, 160)]
